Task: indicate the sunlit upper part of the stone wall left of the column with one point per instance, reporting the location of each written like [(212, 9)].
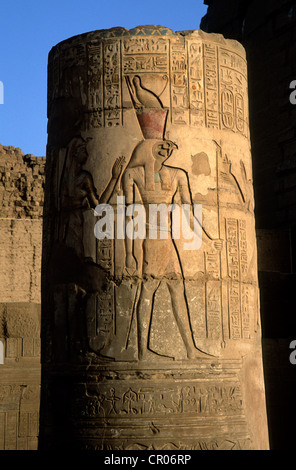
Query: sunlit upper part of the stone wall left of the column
[(21, 211)]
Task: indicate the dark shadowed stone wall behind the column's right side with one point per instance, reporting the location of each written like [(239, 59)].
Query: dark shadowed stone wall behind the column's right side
[(267, 29)]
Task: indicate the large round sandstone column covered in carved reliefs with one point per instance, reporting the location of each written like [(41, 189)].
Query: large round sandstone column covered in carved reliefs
[(151, 339)]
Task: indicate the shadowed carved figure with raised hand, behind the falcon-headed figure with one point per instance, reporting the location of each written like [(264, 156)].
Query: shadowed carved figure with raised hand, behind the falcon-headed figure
[(77, 196)]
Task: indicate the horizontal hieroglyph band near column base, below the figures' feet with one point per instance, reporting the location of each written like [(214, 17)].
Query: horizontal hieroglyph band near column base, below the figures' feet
[(201, 399)]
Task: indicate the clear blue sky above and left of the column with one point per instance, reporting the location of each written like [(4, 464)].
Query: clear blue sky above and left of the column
[(30, 28)]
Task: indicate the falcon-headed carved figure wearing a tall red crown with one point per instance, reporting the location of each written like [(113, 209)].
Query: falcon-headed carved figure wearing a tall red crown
[(157, 183)]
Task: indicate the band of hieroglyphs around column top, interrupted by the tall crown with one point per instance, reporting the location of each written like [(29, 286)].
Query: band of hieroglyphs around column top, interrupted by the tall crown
[(206, 79)]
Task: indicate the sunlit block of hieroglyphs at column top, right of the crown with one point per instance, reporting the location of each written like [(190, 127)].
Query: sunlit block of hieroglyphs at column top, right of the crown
[(218, 85)]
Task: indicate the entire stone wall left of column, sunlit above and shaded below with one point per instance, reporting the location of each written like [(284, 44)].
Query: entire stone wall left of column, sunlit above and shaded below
[(21, 207)]
